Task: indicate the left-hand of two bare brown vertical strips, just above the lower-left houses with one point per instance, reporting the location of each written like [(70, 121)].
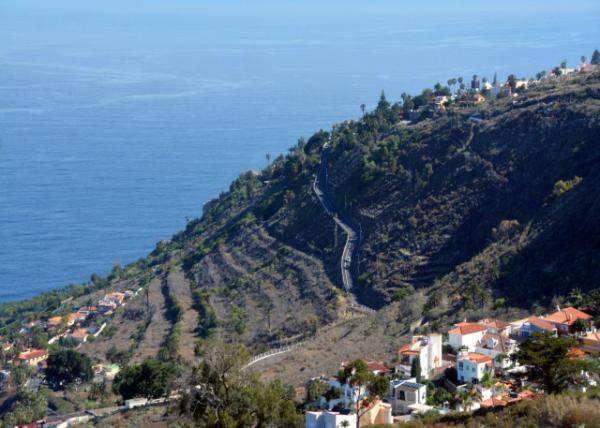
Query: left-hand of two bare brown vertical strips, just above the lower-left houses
[(159, 326)]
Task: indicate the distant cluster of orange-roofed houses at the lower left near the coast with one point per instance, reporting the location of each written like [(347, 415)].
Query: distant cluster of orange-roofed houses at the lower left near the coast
[(78, 326)]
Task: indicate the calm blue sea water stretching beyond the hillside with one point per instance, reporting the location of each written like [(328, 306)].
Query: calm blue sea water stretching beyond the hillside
[(119, 119)]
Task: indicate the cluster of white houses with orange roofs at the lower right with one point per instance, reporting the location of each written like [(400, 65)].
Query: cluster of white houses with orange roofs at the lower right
[(478, 354)]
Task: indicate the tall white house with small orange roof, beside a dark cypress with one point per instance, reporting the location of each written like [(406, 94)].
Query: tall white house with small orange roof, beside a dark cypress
[(428, 349)]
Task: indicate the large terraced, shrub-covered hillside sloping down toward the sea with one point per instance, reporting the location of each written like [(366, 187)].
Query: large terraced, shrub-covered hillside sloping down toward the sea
[(487, 208)]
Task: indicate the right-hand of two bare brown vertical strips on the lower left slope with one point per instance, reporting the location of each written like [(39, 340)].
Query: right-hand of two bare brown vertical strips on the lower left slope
[(180, 286)]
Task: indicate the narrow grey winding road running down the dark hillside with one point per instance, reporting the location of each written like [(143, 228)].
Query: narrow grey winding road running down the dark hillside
[(349, 260)]
